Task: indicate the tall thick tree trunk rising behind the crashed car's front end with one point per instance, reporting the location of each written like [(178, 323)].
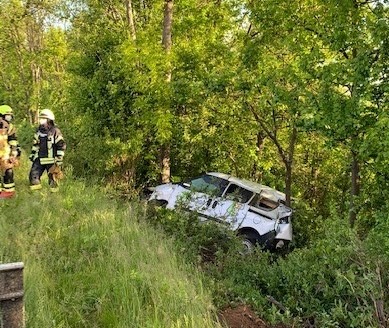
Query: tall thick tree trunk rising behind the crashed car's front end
[(167, 44)]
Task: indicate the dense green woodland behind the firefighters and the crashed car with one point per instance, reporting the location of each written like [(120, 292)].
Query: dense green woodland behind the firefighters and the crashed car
[(292, 94)]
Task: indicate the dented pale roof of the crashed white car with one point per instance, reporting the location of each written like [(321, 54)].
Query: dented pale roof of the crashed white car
[(265, 191)]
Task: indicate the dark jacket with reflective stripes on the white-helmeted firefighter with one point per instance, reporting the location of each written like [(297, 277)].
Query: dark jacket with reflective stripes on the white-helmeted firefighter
[(48, 145)]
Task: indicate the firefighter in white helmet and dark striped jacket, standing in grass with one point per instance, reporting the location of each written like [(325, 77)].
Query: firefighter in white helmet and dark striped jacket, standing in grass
[(47, 152)]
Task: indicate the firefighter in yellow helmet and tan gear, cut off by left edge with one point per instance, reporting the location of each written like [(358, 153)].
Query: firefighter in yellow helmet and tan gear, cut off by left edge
[(9, 152)]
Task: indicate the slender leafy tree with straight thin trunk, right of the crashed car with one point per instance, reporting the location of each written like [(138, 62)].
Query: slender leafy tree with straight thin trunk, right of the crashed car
[(345, 109)]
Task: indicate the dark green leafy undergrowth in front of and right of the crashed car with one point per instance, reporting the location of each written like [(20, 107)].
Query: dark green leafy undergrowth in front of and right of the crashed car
[(338, 280)]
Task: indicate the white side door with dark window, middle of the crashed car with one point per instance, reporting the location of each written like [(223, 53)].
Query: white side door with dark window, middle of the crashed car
[(231, 208)]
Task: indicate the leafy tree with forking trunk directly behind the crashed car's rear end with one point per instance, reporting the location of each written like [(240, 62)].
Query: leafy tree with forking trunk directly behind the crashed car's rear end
[(274, 84)]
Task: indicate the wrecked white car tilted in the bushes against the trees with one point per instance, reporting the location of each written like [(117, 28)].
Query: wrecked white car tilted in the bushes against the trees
[(256, 212)]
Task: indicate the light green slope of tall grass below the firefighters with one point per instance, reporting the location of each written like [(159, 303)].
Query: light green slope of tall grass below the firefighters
[(92, 262)]
